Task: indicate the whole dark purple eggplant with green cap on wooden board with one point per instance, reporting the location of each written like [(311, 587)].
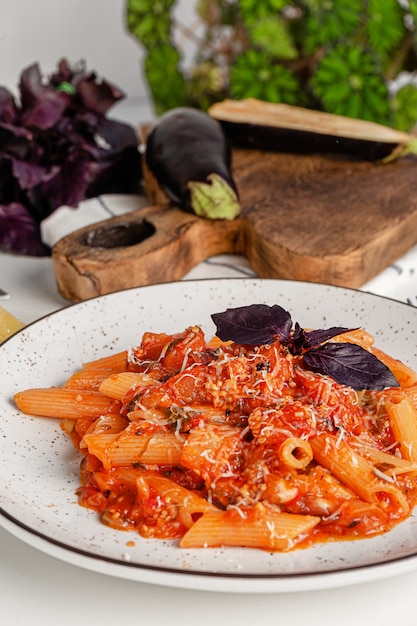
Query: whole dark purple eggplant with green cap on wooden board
[(189, 156)]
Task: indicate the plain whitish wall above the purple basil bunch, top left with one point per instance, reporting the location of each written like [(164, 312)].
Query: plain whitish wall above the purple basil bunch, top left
[(95, 31)]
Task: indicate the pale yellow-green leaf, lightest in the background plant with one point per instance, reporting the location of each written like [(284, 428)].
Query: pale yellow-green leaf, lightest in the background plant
[(272, 35)]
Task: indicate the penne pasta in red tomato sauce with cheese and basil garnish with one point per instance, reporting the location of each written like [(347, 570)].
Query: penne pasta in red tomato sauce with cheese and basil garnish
[(266, 436)]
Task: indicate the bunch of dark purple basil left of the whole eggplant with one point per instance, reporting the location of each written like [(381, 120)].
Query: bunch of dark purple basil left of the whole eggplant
[(57, 148)]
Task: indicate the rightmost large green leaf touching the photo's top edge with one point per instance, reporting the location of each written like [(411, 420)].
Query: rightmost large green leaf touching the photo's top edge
[(385, 26)]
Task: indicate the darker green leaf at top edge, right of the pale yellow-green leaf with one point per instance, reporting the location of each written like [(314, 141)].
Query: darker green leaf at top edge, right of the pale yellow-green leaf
[(329, 21)]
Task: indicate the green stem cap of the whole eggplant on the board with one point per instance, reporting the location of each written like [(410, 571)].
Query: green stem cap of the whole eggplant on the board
[(215, 199)]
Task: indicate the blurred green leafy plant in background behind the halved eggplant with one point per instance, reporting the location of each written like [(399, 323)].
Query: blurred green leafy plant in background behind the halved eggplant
[(350, 57)]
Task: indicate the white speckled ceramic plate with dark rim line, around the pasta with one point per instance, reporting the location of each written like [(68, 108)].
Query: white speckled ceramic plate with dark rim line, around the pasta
[(39, 467)]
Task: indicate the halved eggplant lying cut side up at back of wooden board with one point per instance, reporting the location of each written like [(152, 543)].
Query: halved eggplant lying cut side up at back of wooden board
[(273, 127)]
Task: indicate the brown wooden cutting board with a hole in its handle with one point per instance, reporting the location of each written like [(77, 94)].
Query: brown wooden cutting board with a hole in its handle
[(316, 218)]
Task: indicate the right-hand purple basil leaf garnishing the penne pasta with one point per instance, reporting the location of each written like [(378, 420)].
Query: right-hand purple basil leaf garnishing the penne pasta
[(351, 365)]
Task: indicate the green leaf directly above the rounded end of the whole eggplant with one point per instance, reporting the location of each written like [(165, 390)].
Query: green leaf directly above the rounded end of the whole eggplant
[(165, 80)]
